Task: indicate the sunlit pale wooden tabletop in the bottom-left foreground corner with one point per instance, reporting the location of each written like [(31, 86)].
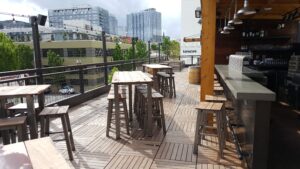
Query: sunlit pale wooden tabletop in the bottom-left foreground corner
[(36, 154)]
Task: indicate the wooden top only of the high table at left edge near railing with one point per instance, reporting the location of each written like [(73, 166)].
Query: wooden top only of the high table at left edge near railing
[(7, 91)]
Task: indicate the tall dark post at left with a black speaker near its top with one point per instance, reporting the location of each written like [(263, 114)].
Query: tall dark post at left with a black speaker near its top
[(37, 48)]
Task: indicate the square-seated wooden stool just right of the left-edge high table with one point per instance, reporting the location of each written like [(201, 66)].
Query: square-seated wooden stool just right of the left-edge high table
[(58, 112)]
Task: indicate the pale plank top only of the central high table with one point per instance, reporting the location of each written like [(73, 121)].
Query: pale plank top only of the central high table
[(130, 77)]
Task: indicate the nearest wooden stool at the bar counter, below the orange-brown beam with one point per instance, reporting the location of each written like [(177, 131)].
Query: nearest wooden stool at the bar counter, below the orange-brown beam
[(203, 109)]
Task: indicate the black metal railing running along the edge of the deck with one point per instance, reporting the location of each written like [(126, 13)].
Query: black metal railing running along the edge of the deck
[(70, 81)]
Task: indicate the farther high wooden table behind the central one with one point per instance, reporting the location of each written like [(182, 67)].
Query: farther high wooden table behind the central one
[(155, 68)]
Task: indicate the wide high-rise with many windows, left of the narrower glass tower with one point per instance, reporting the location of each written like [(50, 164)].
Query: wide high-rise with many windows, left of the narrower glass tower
[(96, 15)]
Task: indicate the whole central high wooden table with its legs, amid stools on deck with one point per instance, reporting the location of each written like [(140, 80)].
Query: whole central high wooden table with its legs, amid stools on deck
[(131, 78)]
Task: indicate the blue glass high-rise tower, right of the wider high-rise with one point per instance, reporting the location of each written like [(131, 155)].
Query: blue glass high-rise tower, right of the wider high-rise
[(146, 25)]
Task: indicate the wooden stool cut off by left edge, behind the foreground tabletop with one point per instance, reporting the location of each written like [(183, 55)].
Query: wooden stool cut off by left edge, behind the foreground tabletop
[(15, 124)]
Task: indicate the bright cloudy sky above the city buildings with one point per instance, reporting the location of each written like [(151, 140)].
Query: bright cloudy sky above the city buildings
[(170, 9)]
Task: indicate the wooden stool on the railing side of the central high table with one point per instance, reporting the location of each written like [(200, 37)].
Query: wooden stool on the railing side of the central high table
[(111, 102)]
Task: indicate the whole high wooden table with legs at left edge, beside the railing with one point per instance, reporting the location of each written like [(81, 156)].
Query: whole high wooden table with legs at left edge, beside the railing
[(24, 91)]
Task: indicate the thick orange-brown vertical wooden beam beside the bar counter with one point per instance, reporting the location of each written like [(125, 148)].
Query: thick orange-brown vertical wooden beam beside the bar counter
[(208, 42)]
